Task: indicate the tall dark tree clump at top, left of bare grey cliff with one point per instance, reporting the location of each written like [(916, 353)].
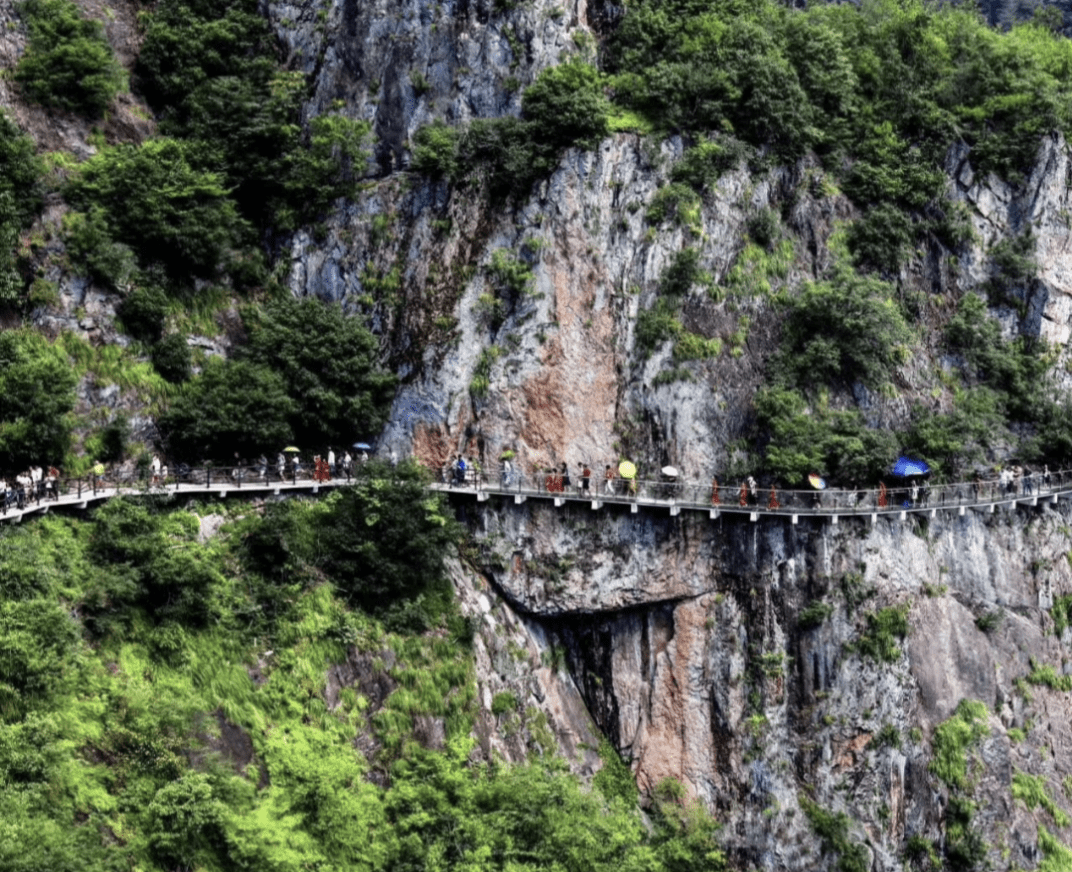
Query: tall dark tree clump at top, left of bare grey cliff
[(214, 73)]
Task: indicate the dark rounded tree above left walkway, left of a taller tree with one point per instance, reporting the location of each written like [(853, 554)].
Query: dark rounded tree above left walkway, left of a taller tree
[(233, 407)]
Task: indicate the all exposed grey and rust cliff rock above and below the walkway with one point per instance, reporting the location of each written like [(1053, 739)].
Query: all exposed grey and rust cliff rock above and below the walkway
[(746, 660)]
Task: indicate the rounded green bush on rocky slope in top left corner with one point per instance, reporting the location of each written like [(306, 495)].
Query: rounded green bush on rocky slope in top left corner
[(68, 62)]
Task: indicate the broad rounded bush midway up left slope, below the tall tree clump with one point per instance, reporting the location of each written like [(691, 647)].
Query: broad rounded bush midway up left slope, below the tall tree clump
[(155, 200)]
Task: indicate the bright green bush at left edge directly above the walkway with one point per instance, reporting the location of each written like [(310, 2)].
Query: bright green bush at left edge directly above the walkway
[(37, 393)]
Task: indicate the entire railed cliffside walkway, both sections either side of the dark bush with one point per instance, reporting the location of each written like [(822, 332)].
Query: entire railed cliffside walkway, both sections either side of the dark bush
[(675, 497)]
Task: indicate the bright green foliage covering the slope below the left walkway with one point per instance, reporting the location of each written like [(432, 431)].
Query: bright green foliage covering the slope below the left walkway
[(147, 726)]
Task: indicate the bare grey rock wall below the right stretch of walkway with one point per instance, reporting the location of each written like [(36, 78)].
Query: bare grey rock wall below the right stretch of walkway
[(688, 641)]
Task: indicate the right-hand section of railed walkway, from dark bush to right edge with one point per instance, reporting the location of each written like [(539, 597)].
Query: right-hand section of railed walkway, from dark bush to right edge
[(899, 500)]
